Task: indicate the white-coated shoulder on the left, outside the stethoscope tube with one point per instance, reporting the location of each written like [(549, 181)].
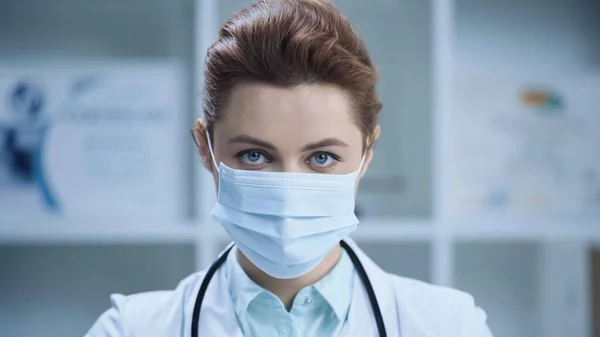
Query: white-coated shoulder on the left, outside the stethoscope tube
[(157, 313)]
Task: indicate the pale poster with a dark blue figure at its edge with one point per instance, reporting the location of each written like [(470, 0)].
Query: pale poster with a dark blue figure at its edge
[(98, 141)]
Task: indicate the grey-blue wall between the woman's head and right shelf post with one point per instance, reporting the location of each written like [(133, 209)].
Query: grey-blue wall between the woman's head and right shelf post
[(398, 36)]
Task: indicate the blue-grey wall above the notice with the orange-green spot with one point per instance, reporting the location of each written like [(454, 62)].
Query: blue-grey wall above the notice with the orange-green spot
[(510, 33)]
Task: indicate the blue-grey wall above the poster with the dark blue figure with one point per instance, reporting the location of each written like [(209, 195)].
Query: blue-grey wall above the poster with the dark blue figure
[(71, 28)]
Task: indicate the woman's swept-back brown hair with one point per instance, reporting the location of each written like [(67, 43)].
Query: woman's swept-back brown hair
[(288, 43)]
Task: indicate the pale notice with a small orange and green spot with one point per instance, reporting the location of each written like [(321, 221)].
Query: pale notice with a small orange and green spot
[(525, 146)]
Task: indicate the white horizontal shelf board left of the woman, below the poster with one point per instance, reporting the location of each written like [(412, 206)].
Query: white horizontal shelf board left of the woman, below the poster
[(60, 232)]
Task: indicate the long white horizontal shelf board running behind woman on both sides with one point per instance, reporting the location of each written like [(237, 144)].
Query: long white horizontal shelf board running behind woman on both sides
[(370, 230)]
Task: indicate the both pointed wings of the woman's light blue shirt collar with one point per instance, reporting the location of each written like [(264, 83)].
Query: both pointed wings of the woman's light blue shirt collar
[(243, 290)]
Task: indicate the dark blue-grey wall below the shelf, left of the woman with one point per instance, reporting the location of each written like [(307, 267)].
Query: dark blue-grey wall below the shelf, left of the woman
[(61, 290)]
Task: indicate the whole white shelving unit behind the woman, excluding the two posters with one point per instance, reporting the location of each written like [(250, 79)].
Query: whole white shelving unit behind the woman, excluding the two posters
[(515, 267)]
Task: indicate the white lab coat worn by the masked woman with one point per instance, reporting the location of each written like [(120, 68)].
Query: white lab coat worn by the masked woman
[(410, 308)]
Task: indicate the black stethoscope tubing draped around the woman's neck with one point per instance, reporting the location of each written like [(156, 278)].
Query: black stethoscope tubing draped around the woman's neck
[(355, 261)]
